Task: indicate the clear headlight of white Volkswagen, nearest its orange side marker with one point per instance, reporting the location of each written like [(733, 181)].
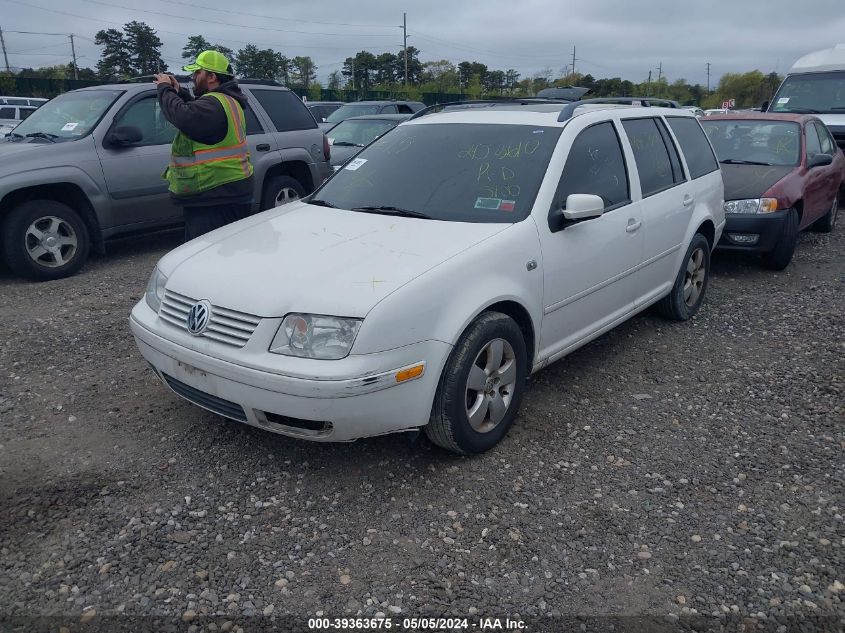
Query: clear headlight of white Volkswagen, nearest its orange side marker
[(315, 336)]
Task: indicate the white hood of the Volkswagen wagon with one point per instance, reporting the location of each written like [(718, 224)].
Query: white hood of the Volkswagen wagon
[(304, 258)]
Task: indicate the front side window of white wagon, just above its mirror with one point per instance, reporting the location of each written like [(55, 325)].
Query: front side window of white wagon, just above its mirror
[(595, 165)]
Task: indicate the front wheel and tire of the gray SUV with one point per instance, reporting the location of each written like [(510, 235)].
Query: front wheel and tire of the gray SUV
[(44, 240)]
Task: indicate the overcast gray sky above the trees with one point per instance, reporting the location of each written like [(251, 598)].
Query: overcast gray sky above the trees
[(625, 38)]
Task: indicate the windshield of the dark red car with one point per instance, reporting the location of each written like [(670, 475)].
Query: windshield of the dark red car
[(764, 142)]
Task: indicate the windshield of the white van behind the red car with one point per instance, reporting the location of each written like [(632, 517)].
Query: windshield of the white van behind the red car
[(812, 93)]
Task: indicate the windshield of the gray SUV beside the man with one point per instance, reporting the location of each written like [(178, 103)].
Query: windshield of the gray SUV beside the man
[(69, 116)]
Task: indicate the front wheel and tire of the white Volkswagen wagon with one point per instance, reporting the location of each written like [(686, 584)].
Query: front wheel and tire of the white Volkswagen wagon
[(499, 381)]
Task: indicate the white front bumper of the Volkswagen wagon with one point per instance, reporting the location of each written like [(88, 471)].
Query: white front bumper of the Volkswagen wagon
[(364, 403)]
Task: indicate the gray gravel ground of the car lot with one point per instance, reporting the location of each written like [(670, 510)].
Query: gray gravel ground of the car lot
[(677, 471)]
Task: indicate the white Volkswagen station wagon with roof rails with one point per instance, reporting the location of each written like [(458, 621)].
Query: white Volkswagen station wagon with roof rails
[(433, 273)]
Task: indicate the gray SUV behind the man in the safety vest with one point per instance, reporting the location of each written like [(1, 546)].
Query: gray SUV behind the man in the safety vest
[(87, 165)]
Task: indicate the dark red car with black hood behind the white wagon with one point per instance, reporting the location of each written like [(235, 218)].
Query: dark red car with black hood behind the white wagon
[(783, 173)]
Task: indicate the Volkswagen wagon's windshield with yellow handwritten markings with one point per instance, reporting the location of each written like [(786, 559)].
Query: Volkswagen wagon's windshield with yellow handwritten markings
[(448, 171)]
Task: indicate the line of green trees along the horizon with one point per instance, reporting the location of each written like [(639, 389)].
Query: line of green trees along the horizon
[(136, 51)]
